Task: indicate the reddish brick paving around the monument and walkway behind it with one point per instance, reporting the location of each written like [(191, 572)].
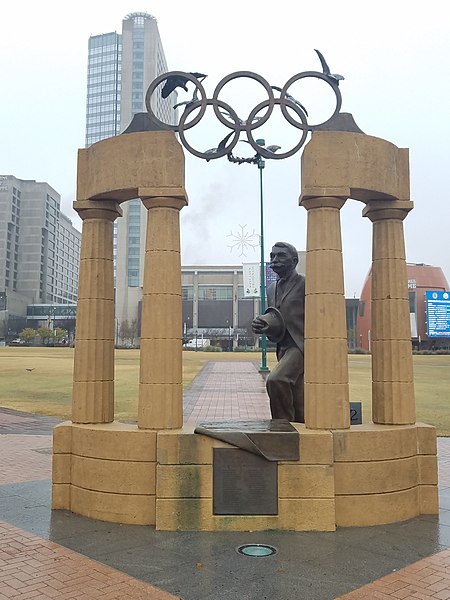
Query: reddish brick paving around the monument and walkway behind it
[(33, 568)]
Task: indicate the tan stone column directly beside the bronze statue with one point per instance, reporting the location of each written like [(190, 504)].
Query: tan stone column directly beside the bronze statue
[(326, 365)]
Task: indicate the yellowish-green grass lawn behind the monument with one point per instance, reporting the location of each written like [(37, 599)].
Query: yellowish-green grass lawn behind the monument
[(47, 388)]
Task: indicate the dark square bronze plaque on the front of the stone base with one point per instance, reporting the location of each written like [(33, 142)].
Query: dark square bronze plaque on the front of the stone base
[(244, 483)]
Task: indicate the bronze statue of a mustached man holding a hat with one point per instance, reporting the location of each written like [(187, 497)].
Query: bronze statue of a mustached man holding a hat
[(283, 323)]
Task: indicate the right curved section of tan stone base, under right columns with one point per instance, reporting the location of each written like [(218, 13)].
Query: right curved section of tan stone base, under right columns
[(385, 474)]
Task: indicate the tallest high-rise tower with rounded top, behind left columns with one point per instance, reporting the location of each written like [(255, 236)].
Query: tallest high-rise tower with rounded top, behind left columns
[(120, 69)]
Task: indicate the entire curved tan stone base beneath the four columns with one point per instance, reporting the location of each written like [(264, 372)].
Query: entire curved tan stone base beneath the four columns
[(366, 475)]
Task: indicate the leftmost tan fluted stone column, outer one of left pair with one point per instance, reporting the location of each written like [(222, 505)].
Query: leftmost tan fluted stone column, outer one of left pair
[(93, 378)]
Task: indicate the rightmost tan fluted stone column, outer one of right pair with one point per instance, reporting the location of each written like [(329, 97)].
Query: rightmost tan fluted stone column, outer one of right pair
[(392, 369)]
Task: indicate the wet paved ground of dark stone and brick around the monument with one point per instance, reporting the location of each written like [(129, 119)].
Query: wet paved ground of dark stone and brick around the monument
[(57, 554)]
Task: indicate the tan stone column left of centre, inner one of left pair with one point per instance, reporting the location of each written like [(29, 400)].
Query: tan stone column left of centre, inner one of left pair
[(160, 384)]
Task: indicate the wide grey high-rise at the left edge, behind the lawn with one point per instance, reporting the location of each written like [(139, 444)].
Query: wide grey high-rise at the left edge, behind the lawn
[(39, 247)]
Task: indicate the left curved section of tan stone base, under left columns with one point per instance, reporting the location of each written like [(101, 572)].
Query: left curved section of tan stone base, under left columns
[(105, 472)]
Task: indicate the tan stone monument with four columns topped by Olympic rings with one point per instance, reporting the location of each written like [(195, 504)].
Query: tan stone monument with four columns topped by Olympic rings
[(159, 472)]
